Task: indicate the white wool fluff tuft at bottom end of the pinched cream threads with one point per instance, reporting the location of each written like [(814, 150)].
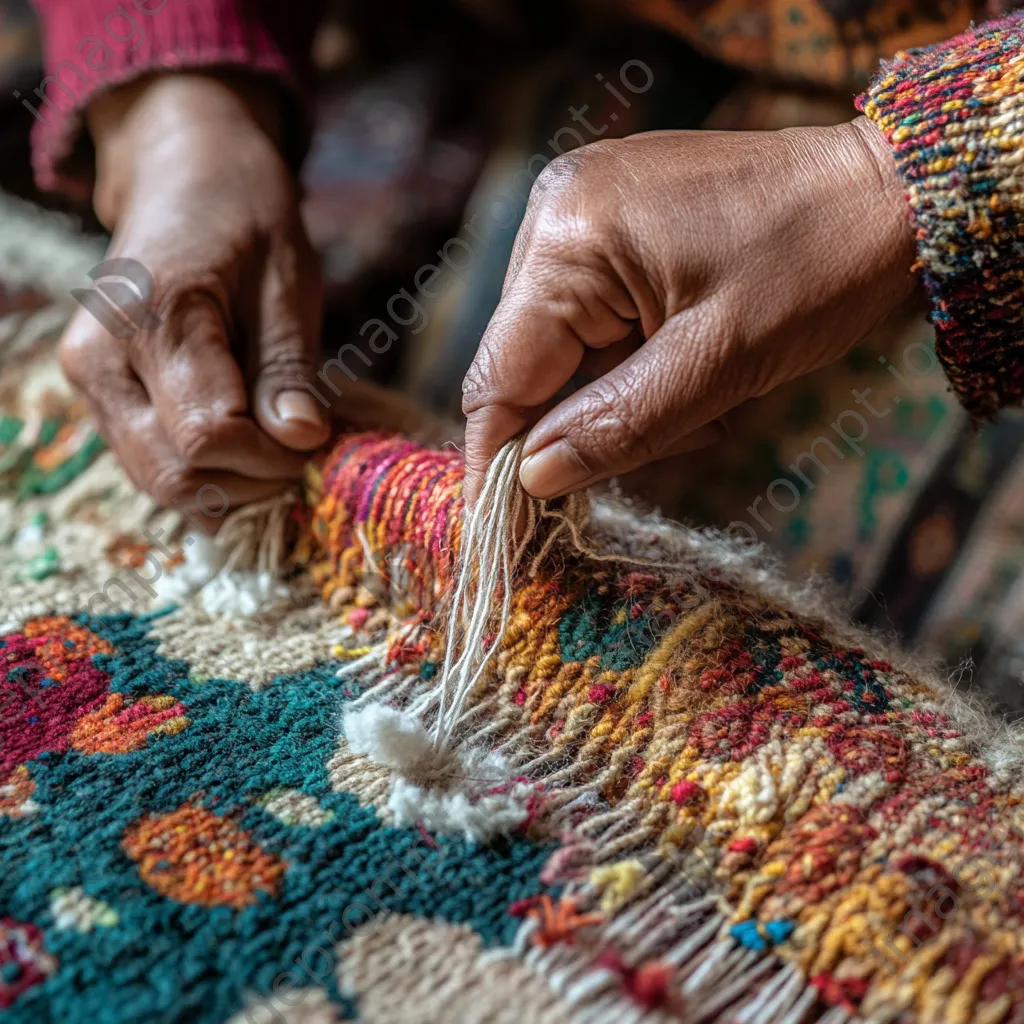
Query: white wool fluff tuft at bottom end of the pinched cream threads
[(475, 796)]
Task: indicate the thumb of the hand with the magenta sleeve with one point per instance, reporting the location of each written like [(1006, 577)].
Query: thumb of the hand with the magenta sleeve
[(284, 403)]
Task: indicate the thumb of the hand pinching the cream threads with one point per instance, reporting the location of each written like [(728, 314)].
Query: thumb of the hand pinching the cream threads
[(649, 408)]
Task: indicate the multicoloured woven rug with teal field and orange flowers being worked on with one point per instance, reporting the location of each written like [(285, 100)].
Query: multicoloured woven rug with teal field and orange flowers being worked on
[(684, 791)]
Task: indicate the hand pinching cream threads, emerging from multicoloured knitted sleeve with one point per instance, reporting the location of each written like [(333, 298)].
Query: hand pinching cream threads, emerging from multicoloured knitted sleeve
[(702, 269)]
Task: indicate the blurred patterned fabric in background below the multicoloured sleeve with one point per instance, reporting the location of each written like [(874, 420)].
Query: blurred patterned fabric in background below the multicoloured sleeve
[(905, 506)]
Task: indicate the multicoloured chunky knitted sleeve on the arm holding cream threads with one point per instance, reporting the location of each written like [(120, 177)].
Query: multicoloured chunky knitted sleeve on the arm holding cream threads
[(954, 115)]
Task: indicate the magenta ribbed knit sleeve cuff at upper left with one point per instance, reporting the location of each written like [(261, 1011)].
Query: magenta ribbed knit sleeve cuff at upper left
[(91, 46)]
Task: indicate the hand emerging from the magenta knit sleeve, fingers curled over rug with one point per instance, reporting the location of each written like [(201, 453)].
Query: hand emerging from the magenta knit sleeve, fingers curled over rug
[(191, 181)]
